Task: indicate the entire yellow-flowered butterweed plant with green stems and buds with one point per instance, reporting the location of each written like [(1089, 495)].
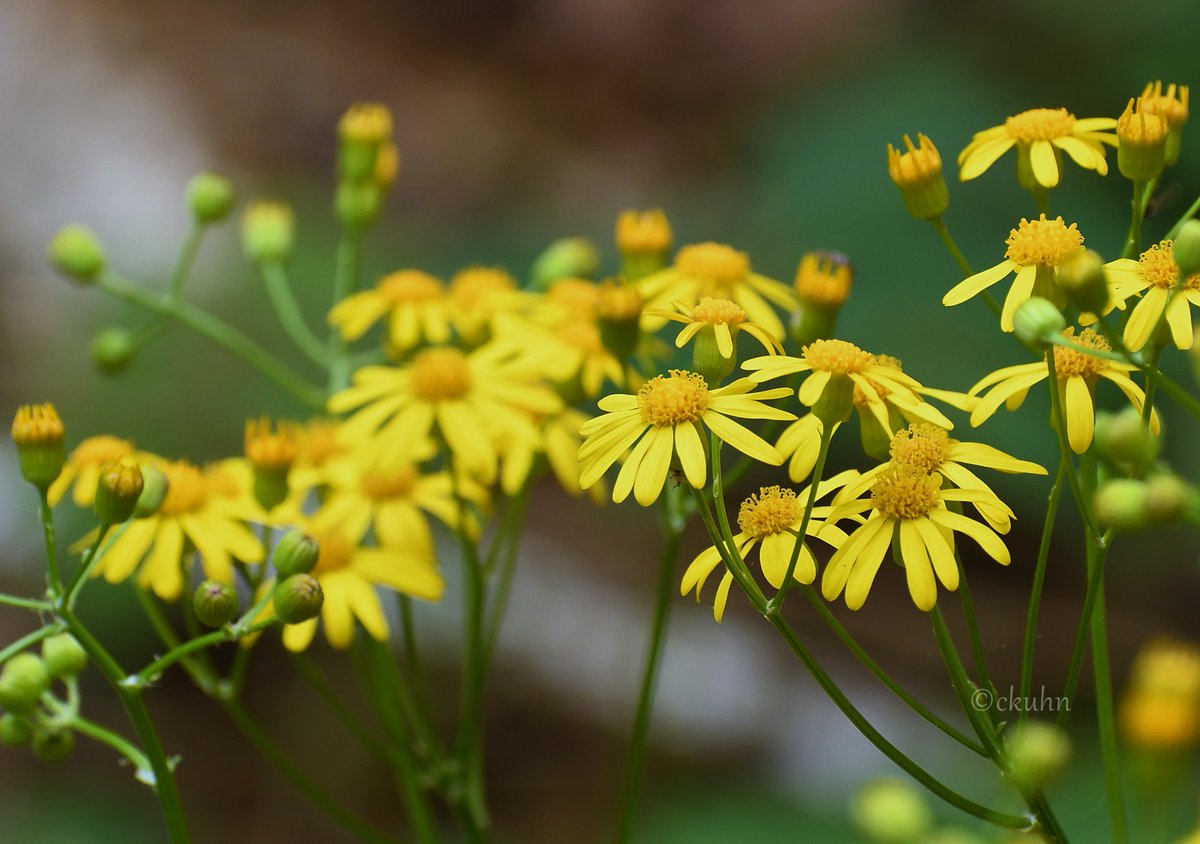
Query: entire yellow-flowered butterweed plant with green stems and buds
[(433, 406)]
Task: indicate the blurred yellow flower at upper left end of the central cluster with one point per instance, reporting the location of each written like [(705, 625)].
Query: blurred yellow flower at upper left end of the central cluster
[(415, 303)]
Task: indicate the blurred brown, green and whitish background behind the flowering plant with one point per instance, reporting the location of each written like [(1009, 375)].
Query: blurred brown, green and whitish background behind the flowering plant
[(519, 122)]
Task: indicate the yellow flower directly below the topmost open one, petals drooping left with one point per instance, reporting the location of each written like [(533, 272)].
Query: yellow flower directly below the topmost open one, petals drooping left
[(1035, 249)]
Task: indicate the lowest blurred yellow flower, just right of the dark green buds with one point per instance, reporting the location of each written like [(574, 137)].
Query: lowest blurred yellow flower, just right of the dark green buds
[(349, 574)]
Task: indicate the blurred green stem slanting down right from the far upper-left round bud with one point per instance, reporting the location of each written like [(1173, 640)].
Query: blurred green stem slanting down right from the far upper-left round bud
[(217, 331)]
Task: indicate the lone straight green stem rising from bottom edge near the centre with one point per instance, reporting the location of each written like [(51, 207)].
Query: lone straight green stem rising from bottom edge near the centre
[(635, 759)]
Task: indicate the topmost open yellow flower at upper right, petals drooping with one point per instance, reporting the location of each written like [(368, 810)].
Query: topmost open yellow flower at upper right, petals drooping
[(1041, 136)]
